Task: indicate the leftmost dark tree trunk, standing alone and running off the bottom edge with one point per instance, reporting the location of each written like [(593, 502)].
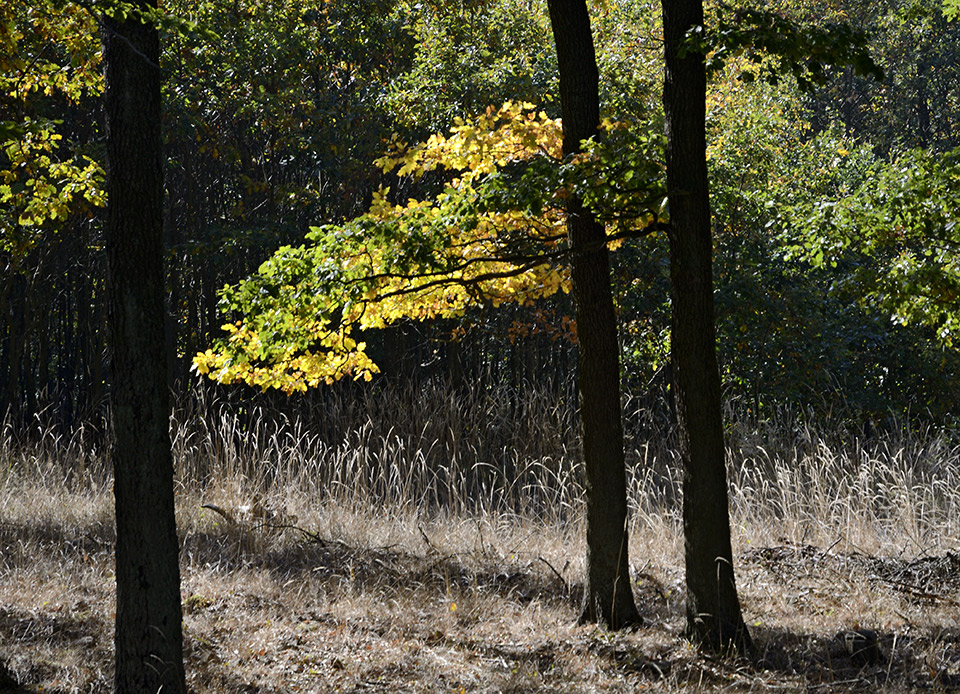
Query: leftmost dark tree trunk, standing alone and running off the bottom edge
[(148, 636)]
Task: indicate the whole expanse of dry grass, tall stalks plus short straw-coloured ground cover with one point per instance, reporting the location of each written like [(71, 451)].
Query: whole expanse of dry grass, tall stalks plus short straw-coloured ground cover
[(443, 552)]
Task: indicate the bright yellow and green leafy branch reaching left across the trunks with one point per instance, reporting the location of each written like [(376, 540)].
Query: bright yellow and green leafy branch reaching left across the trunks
[(494, 234)]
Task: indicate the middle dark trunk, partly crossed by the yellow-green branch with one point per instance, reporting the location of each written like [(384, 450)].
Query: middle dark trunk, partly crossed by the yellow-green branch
[(609, 594)]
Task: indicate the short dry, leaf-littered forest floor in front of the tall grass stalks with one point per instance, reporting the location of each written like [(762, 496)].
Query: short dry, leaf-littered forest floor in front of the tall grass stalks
[(394, 601)]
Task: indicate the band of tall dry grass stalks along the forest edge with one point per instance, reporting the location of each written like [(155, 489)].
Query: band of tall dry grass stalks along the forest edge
[(434, 450)]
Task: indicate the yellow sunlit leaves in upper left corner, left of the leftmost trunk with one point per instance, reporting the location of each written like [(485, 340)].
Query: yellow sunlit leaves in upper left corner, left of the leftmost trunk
[(49, 54)]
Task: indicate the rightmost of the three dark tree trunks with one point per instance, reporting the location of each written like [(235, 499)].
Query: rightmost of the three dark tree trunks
[(713, 609)]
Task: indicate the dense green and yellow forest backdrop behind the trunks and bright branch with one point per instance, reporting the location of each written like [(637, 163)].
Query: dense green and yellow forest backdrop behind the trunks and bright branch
[(835, 273)]
